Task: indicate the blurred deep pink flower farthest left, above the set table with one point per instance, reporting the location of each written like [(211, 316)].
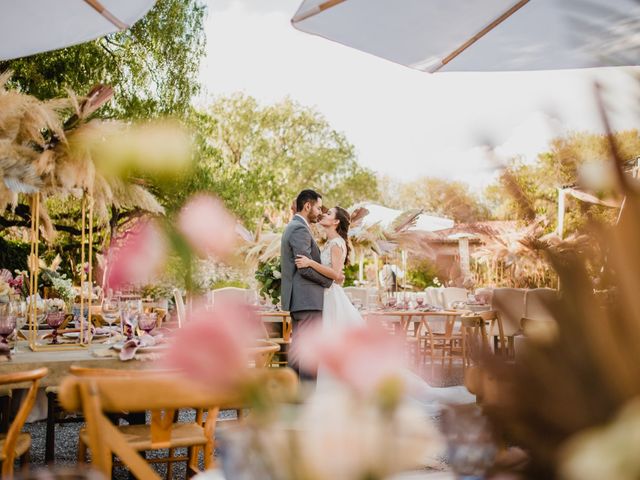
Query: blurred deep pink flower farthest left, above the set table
[(137, 256)]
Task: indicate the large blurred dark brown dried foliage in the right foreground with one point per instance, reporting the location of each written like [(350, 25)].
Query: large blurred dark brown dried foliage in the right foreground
[(590, 370)]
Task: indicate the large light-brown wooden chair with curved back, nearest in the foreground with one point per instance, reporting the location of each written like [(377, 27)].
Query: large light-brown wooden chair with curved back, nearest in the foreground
[(99, 395)]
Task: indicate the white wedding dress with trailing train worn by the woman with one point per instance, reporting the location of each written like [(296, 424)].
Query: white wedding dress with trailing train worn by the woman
[(339, 313)]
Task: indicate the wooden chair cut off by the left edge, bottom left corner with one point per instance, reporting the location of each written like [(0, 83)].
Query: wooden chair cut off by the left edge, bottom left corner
[(16, 443)]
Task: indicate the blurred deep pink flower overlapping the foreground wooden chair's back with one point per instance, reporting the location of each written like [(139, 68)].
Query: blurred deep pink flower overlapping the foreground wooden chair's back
[(213, 346)]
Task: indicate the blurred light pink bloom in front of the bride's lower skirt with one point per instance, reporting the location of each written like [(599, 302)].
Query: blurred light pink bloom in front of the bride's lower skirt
[(362, 356)]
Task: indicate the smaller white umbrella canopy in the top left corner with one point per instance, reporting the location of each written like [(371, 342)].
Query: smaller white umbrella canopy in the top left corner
[(33, 26)]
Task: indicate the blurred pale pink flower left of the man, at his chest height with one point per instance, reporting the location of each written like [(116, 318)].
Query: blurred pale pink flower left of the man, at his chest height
[(208, 226)]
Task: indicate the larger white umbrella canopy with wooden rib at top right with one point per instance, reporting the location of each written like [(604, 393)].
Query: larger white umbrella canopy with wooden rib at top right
[(491, 35)]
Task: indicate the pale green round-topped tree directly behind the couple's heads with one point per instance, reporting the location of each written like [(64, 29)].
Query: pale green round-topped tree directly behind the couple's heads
[(257, 158)]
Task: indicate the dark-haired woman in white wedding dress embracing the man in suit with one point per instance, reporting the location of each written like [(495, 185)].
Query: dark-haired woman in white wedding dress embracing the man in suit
[(338, 311)]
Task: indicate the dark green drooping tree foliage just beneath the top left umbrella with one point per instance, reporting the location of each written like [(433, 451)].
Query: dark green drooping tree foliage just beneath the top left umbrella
[(153, 66)]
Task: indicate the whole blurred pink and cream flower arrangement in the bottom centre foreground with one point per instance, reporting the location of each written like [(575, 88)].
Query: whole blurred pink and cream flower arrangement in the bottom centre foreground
[(363, 428)]
